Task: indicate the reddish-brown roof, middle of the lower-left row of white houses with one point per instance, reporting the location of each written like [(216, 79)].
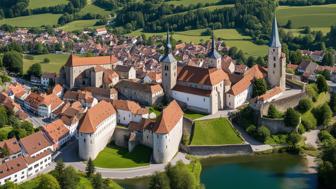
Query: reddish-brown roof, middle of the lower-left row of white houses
[(35, 142)]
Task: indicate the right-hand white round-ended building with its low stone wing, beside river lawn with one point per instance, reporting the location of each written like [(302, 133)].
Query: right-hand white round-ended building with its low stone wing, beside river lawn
[(163, 135)]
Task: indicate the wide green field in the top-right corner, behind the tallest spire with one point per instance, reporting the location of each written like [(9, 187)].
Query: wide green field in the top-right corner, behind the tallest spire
[(313, 16)]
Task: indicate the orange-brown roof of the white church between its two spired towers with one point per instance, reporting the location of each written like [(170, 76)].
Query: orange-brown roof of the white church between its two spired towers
[(202, 76)]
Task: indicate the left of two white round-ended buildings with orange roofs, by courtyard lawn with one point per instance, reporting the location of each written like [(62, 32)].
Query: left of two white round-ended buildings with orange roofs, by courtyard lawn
[(96, 130)]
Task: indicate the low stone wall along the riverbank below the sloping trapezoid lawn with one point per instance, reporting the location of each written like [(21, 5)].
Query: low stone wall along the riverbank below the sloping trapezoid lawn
[(218, 150)]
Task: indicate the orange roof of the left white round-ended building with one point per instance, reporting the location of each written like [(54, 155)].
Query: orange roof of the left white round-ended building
[(95, 116)]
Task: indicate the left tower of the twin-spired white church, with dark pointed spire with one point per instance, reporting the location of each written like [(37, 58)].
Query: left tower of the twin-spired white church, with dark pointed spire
[(169, 69)]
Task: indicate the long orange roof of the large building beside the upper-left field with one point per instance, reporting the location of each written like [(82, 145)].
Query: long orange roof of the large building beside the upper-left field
[(86, 61)]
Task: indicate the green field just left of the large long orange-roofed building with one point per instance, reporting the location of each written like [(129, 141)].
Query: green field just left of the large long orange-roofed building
[(56, 62)]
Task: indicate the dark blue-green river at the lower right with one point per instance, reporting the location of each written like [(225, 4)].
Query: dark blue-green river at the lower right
[(275, 171)]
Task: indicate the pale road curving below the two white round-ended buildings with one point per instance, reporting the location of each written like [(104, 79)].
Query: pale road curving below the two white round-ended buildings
[(69, 154)]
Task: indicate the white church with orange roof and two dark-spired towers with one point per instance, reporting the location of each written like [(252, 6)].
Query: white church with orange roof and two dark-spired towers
[(199, 89)]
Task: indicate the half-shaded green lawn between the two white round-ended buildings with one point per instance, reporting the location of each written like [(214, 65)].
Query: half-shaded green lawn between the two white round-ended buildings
[(117, 157)]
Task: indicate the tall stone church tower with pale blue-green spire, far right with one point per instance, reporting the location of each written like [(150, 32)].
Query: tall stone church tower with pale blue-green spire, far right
[(276, 60)]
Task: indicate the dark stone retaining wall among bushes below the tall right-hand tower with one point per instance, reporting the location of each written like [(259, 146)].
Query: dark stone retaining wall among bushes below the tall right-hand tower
[(275, 125)]
